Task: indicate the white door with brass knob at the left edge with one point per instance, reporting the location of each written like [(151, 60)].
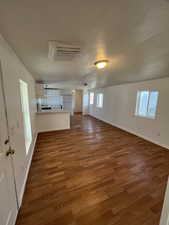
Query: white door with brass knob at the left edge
[(8, 201)]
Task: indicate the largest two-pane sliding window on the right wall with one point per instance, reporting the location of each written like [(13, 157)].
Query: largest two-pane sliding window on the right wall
[(146, 104)]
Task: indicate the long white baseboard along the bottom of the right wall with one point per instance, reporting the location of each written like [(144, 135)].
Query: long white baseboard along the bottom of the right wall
[(133, 132)]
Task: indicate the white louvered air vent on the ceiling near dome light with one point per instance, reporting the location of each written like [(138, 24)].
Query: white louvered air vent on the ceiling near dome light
[(62, 51)]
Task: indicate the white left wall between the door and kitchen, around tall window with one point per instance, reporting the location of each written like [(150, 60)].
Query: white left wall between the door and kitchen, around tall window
[(13, 70)]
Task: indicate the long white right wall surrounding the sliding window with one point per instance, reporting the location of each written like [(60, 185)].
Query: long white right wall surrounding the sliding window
[(119, 108)]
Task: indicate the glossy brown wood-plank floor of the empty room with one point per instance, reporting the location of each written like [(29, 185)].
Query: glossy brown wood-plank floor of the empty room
[(94, 174)]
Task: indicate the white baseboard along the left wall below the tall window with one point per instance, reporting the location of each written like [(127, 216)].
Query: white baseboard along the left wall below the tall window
[(27, 171)]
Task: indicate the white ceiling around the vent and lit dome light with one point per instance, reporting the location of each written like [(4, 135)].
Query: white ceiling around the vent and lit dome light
[(132, 34)]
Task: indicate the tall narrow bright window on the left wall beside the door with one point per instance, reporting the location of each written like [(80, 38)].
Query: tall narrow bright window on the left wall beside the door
[(26, 114)]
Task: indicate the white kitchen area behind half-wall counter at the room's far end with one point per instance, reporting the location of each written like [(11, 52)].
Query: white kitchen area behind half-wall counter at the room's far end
[(55, 106)]
